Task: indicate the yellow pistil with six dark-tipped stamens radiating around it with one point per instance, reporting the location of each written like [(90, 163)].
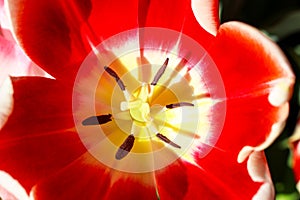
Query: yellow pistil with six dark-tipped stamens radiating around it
[(140, 112)]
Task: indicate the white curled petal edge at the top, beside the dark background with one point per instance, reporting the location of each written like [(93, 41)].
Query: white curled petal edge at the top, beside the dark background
[(205, 14)]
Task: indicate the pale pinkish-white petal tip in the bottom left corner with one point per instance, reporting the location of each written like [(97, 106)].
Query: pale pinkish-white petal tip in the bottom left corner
[(11, 189)]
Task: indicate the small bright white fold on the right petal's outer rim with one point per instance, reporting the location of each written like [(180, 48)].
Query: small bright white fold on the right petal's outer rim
[(280, 93)]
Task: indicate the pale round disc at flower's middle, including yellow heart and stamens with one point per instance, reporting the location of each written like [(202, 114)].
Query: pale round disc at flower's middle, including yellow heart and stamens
[(140, 110)]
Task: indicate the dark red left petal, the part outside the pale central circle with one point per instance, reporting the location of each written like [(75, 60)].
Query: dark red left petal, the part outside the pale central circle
[(38, 139)]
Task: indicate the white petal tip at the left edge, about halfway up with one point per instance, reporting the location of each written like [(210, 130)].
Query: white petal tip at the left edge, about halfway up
[(6, 101)]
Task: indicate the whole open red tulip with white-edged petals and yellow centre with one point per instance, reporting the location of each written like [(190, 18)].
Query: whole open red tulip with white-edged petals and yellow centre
[(151, 100)]
